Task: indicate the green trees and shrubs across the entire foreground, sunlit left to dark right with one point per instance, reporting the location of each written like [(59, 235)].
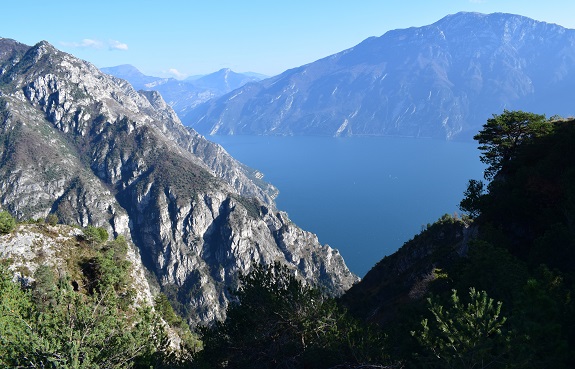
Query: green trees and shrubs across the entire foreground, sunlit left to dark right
[(503, 299)]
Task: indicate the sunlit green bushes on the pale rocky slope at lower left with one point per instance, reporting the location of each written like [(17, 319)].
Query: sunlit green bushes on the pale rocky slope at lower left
[(88, 316)]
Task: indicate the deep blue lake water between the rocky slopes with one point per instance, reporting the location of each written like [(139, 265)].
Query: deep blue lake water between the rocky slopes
[(364, 196)]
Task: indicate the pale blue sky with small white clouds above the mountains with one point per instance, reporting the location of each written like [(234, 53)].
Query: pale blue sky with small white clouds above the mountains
[(180, 38)]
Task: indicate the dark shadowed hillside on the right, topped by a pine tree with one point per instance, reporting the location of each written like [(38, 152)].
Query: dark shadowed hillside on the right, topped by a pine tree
[(519, 249)]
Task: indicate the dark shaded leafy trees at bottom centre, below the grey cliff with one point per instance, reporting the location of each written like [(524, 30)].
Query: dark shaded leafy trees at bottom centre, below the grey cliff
[(279, 322)]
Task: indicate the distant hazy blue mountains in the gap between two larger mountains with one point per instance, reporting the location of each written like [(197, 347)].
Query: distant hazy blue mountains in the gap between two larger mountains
[(187, 94)]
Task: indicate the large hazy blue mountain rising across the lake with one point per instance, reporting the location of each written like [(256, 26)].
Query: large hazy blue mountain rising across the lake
[(443, 80)]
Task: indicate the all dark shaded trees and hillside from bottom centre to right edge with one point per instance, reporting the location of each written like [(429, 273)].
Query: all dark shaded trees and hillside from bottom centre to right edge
[(491, 289)]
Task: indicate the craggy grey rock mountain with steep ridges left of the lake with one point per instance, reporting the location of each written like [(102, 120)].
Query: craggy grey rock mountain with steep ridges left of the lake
[(87, 147)]
